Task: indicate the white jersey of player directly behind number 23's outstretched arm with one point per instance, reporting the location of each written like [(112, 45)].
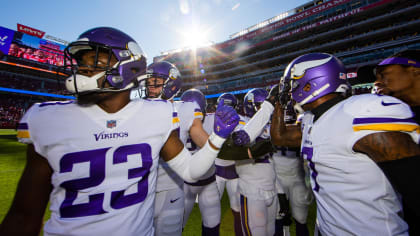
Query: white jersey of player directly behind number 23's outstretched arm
[(186, 112)]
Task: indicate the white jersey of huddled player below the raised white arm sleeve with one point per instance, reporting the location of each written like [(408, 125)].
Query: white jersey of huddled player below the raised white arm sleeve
[(257, 177)]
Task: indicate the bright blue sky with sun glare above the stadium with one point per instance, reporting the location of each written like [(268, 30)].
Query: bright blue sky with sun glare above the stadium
[(156, 25)]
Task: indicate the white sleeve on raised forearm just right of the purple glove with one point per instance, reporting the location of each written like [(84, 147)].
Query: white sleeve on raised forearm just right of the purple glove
[(256, 124)]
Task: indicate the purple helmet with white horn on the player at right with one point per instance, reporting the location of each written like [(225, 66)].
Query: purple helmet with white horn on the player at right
[(314, 75)]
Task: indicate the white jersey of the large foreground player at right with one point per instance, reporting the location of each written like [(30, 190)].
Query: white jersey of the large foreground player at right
[(353, 195)]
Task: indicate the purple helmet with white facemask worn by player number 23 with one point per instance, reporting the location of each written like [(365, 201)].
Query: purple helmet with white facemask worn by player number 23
[(131, 61)]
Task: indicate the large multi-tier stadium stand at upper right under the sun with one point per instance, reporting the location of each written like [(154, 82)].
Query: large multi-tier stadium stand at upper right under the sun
[(359, 32)]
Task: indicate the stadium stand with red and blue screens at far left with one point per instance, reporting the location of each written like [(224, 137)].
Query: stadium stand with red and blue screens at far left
[(28, 75)]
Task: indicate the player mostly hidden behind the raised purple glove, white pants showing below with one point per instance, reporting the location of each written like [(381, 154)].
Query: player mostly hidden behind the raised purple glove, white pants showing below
[(226, 175)]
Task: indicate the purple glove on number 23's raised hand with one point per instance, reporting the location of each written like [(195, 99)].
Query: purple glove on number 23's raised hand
[(225, 120)]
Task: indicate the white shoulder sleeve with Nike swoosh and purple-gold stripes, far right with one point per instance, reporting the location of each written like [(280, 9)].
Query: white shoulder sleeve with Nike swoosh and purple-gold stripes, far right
[(375, 113)]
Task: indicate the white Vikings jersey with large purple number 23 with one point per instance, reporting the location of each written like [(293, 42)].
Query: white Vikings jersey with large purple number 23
[(104, 164)]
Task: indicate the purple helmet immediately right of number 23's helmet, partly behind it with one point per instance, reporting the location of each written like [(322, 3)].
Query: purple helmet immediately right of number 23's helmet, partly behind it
[(171, 79)]
